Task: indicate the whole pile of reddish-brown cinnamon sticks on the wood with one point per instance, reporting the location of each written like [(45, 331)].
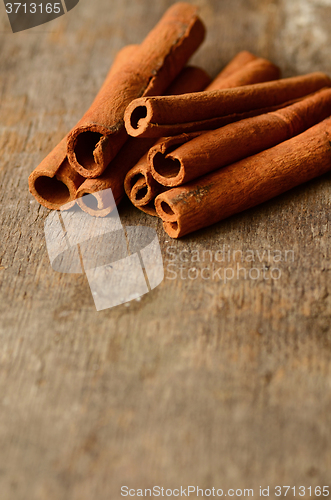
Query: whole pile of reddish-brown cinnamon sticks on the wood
[(187, 149)]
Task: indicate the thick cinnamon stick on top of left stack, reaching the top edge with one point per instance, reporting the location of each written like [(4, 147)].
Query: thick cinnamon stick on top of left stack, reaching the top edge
[(100, 134)]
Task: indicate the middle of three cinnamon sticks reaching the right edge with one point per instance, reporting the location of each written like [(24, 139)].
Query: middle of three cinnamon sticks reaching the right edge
[(231, 143)]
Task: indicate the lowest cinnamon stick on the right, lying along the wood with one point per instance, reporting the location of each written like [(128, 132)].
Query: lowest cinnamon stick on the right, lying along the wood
[(246, 183)]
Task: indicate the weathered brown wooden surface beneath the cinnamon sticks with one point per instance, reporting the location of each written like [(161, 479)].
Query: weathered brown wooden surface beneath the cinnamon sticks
[(200, 382)]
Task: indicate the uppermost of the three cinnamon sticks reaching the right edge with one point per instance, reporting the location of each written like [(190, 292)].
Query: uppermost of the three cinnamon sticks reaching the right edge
[(160, 116)]
